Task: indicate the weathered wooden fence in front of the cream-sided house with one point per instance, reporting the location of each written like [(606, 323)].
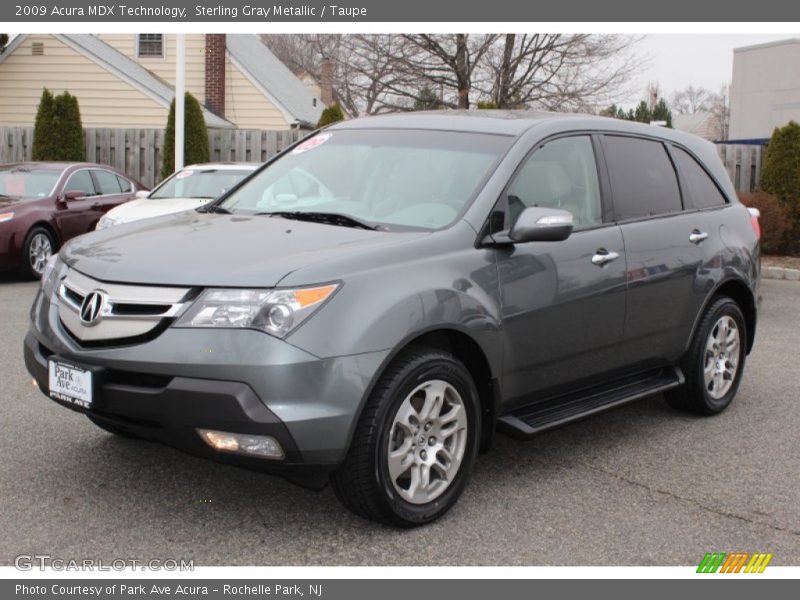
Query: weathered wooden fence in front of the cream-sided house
[(139, 152)]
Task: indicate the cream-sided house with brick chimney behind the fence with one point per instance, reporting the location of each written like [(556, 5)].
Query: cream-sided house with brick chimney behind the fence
[(127, 80)]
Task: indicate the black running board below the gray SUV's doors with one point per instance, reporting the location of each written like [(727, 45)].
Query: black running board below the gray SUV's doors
[(534, 418)]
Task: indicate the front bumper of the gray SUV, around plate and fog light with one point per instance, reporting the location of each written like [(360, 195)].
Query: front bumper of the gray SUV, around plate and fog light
[(239, 381)]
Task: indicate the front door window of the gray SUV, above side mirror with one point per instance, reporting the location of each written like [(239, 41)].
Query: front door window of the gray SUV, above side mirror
[(561, 174)]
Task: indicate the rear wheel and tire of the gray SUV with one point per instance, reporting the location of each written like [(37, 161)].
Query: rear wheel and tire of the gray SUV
[(720, 351)]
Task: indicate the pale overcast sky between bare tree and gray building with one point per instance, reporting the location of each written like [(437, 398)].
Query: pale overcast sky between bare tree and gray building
[(678, 60)]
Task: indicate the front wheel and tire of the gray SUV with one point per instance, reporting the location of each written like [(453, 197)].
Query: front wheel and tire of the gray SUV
[(395, 414)]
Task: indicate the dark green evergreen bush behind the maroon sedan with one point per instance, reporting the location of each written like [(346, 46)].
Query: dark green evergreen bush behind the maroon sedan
[(58, 131)]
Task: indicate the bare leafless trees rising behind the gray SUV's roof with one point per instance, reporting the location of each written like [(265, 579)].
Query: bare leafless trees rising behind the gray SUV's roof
[(384, 73)]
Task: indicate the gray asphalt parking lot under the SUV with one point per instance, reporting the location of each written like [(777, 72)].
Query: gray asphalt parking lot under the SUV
[(641, 485)]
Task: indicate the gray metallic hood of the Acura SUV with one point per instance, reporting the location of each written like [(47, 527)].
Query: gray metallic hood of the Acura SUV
[(199, 249)]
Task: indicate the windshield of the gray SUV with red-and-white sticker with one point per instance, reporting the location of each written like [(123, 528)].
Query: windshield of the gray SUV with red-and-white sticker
[(390, 179)]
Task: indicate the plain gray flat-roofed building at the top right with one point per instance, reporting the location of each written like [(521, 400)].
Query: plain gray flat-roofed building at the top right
[(765, 89)]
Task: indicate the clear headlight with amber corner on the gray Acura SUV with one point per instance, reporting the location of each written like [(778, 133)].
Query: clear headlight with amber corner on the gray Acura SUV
[(276, 312)]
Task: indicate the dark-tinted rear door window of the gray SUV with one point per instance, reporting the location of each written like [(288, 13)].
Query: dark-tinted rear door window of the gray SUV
[(643, 180)]
